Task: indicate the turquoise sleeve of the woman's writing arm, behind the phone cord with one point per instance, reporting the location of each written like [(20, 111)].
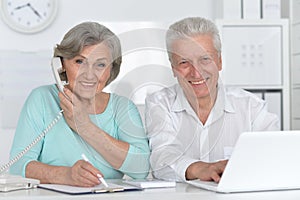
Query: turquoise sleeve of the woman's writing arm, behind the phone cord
[(30, 125)]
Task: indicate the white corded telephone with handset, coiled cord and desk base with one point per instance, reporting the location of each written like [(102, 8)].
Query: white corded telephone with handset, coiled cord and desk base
[(12, 182)]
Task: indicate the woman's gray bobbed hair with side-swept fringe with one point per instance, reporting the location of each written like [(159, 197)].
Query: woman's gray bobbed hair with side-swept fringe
[(86, 34)]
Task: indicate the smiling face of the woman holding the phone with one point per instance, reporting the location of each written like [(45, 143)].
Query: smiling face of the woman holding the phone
[(89, 71)]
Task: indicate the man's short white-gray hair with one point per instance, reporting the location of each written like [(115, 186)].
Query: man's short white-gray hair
[(192, 26)]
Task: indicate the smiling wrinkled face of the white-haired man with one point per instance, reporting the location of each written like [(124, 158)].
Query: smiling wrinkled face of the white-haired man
[(196, 64)]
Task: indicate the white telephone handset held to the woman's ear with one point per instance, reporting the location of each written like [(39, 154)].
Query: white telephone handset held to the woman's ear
[(59, 74)]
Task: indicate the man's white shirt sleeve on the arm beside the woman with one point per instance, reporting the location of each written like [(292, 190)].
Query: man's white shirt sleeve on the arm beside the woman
[(167, 158)]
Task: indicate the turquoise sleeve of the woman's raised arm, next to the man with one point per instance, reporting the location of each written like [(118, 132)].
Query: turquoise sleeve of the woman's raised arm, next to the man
[(131, 130)]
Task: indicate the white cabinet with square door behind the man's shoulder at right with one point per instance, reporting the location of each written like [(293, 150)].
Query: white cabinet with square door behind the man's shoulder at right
[(255, 57)]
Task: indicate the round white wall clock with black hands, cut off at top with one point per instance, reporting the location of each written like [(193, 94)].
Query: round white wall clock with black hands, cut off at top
[(28, 16)]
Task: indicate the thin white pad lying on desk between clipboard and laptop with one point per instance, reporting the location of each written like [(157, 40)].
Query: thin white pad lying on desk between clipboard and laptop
[(151, 183)]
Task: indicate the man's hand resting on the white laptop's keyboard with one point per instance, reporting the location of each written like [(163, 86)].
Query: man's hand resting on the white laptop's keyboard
[(206, 171)]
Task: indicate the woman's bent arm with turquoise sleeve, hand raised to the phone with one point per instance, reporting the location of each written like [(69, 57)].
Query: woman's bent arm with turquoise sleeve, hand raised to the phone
[(128, 151)]
